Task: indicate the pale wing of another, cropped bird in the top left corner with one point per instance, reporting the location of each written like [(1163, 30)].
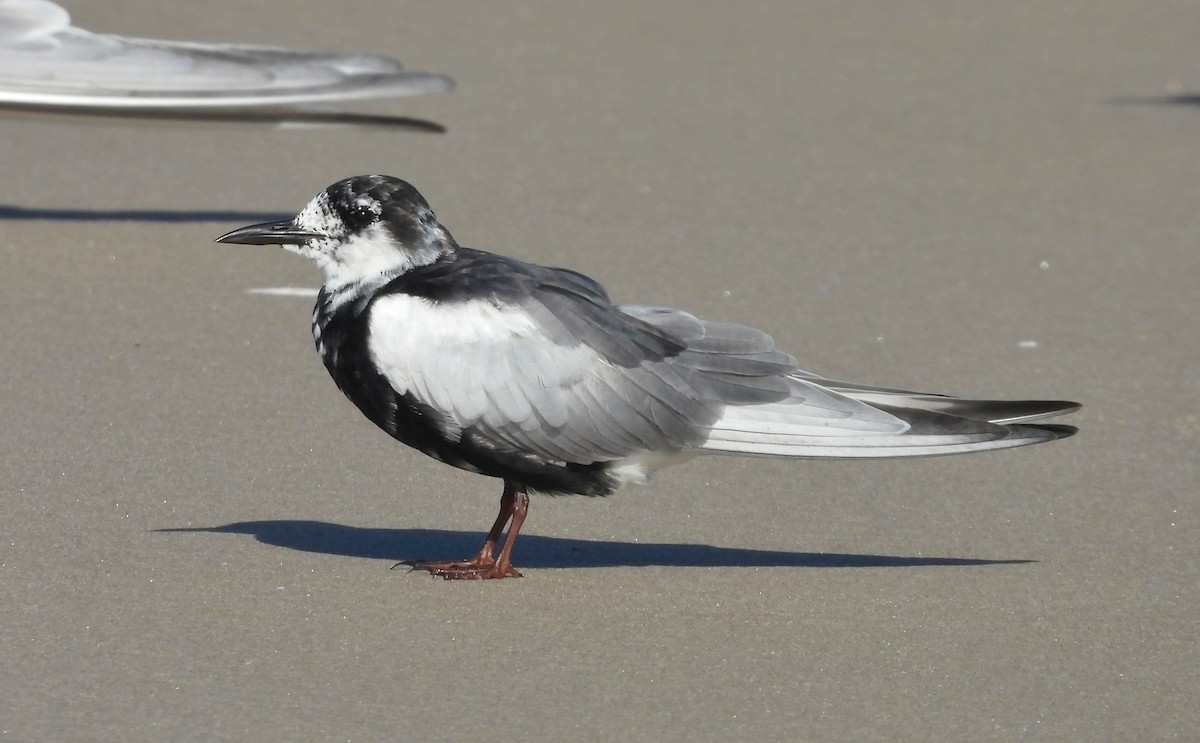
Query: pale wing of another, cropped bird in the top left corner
[(45, 62)]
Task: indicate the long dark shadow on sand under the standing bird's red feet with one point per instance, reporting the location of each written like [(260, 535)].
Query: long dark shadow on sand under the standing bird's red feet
[(535, 552)]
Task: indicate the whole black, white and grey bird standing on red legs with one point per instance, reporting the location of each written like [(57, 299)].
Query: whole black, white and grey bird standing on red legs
[(532, 375)]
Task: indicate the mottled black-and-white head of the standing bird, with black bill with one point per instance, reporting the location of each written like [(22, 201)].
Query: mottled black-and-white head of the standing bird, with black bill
[(359, 230)]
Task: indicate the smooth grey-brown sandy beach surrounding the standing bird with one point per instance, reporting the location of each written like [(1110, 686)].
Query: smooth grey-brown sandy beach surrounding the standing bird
[(985, 200)]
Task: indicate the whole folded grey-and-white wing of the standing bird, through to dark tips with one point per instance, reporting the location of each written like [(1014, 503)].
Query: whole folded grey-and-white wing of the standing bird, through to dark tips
[(560, 375)]
